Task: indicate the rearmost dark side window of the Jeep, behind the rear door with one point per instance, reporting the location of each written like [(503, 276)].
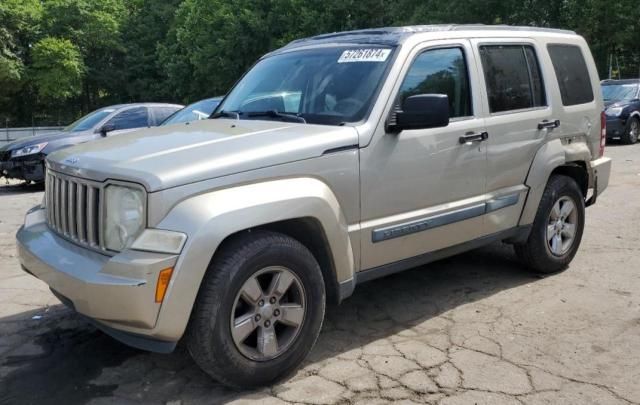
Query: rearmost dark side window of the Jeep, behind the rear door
[(572, 73)]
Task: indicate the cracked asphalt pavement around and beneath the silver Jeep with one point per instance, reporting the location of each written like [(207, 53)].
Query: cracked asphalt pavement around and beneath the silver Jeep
[(472, 329)]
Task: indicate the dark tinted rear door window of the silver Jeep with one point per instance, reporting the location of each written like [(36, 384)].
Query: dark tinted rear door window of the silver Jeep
[(513, 78)]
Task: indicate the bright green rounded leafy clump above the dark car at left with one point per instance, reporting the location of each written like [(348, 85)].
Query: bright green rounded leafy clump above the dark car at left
[(57, 69)]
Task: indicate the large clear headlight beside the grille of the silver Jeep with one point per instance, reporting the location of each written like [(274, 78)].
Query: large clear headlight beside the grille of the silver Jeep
[(124, 218)]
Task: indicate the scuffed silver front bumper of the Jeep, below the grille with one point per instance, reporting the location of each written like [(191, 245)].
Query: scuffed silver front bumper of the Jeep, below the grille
[(116, 292)]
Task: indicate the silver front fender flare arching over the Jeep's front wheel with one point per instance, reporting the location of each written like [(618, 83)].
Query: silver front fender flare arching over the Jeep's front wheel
[(208, 219)]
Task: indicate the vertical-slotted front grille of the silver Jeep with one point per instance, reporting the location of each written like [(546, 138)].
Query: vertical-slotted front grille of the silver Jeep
[(73, 207)]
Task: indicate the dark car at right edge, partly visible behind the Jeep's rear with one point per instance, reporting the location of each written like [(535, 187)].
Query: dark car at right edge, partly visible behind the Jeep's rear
[(622, 103)]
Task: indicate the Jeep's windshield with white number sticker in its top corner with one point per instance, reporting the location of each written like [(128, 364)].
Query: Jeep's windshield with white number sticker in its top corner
[(323, 86)]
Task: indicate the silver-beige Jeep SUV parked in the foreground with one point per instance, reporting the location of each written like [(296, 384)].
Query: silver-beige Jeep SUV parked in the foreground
[(335, 160)]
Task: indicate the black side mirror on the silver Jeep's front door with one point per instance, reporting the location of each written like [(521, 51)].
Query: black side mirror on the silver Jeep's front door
[(423, 111)]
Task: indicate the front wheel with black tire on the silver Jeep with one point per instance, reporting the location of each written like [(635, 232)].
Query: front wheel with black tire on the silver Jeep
[(228, 297)]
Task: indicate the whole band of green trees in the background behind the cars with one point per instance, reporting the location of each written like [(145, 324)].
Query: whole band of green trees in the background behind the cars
[(91, 53)]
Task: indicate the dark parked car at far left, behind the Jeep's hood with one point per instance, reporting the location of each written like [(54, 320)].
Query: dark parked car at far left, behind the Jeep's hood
[(24, 158)]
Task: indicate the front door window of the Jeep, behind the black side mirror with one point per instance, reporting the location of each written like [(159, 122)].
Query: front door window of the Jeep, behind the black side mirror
[(440, 71)]
